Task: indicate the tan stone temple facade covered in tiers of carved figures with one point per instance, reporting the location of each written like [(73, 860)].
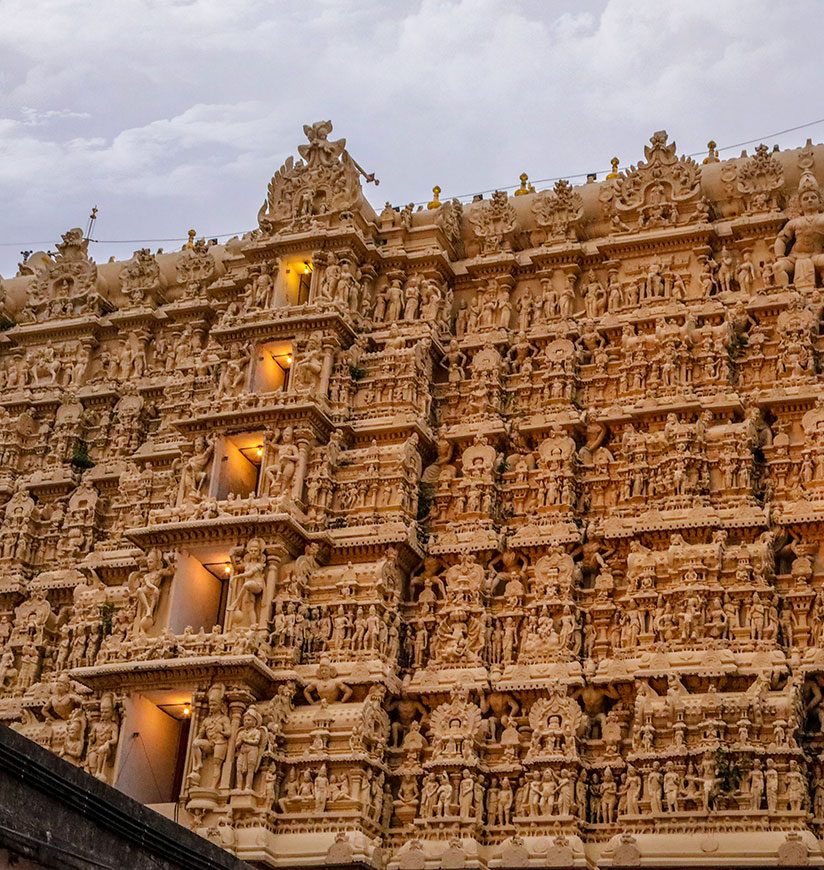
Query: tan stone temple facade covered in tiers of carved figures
[(477, 535)]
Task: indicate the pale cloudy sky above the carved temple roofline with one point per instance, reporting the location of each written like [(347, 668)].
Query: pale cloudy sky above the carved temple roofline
[(170, 114)]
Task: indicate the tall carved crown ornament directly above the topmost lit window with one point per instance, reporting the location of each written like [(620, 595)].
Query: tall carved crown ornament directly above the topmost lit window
[(323, 182)]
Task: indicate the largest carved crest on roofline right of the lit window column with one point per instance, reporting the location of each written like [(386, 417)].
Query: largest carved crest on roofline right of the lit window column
[(661, 191)]
